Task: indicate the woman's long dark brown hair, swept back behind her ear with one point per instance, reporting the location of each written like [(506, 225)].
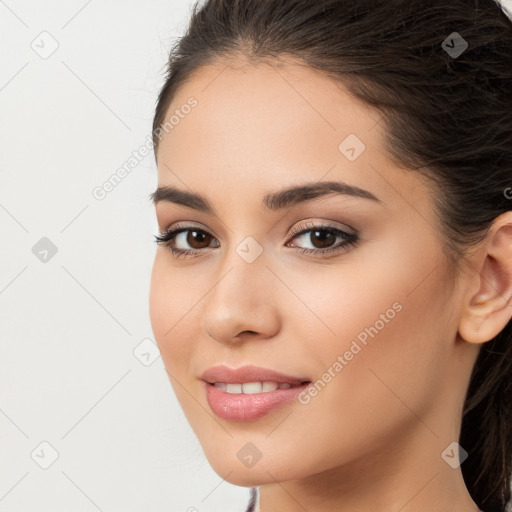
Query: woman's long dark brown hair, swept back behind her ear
[(446, 115)]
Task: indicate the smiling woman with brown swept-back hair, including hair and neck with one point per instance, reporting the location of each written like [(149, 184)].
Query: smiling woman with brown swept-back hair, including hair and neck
[(331, 289)]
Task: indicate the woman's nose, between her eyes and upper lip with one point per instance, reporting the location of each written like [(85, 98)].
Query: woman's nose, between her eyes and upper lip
[(243, 302)]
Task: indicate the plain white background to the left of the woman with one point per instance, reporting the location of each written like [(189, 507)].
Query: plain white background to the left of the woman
[(69, 326)]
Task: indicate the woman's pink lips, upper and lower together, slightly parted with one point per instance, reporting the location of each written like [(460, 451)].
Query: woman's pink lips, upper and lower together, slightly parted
[(242, 407)]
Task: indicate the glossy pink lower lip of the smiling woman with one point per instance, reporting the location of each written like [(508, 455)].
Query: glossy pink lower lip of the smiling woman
[(242, 407)]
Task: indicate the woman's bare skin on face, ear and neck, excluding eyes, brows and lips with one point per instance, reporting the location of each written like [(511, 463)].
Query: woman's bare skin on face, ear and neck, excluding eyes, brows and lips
[(372, 439)]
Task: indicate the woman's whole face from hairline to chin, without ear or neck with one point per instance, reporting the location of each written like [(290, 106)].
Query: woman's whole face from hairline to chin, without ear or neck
[(370, 318)]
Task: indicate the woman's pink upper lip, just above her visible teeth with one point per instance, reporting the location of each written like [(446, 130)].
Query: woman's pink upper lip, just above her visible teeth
[(248, 373)]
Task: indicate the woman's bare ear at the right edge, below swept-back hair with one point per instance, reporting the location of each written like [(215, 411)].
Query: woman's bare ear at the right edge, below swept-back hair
[(487, 303)]
